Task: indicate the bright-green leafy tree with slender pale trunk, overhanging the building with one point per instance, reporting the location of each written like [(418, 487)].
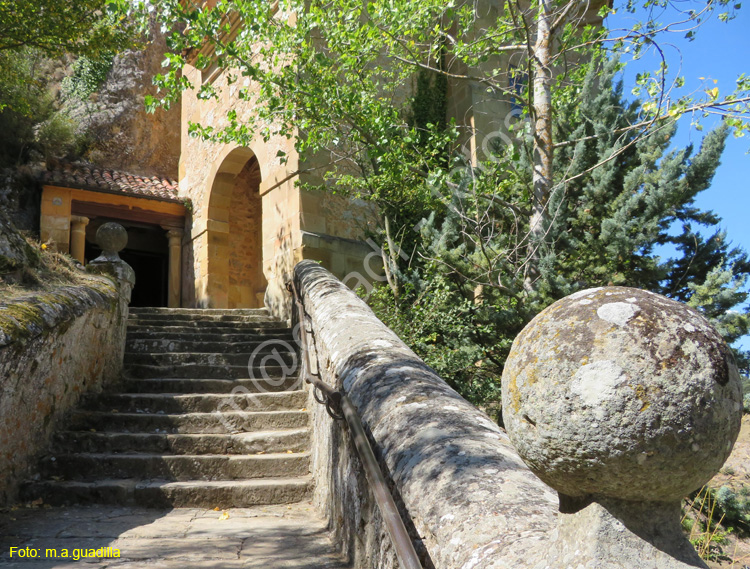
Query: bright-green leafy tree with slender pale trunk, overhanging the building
[(353, 60)]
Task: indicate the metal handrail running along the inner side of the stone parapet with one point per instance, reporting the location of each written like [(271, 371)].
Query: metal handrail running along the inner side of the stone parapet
[(340, 406)]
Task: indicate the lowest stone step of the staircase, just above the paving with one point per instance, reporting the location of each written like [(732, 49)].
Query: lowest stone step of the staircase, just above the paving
[(158, 494)]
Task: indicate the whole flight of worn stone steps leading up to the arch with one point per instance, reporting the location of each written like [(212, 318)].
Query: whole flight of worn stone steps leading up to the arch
[(206, 416)]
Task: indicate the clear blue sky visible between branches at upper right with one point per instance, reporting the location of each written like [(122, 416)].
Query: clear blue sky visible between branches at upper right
[(721, 52)]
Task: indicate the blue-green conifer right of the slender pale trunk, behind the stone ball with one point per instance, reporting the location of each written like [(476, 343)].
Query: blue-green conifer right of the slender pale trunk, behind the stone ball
[(620, 224)]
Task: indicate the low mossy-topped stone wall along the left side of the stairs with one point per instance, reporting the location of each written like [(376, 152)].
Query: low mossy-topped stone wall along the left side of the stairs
[(54, 346)]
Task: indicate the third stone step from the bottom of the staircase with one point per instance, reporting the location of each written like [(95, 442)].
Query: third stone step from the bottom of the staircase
[(296, 440)]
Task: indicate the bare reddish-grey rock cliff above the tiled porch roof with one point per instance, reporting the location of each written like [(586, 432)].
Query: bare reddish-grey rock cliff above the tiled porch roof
[(124, 136)]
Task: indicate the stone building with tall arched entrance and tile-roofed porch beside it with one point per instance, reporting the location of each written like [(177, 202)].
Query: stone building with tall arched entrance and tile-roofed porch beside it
[(247, 220)]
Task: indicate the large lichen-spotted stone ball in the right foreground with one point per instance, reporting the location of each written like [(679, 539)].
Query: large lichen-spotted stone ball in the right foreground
[(618, 392)]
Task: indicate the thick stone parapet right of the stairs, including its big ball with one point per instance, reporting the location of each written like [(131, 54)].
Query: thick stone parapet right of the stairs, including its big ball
[(606, 394)]
